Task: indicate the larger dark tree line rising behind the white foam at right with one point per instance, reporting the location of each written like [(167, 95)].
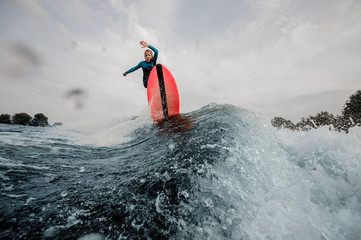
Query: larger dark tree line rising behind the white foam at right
[(351, 117)]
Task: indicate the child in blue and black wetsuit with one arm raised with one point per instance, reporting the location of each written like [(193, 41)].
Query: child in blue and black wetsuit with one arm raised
[(146, 65)]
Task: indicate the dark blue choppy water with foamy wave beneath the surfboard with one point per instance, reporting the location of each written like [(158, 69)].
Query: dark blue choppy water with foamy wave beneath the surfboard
[(220, 172)]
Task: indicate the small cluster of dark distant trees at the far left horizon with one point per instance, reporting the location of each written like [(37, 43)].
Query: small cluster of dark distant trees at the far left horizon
[(39, 120)]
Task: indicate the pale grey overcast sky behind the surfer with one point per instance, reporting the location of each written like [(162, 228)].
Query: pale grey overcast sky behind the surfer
[(287, 58)]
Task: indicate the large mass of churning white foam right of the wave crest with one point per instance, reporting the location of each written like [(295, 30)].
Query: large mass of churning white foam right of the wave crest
[(289, 185)]
